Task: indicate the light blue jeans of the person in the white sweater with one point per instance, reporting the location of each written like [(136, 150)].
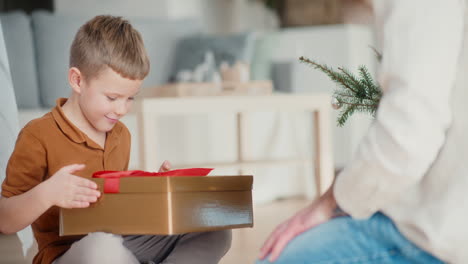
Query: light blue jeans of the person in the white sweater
[(345, 240)]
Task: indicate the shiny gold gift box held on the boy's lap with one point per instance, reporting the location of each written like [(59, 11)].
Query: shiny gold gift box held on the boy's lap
[(165, 206)]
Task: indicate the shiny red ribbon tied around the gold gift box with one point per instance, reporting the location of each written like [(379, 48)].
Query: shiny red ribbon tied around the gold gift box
[(112, 178)]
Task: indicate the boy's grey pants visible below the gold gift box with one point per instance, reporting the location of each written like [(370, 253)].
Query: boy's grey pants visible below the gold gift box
[(192, 248)]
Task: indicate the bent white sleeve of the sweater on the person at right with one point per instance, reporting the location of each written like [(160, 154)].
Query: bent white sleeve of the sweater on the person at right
[(420, 41)]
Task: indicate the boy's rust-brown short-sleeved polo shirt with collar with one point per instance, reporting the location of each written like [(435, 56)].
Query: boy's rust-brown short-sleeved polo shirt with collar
[(44, 146)]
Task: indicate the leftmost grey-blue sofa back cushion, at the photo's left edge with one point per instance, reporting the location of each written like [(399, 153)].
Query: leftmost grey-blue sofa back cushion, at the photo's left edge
[(20, 48)]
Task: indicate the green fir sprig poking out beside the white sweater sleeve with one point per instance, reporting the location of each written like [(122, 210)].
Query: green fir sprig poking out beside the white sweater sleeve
[(353, 94)]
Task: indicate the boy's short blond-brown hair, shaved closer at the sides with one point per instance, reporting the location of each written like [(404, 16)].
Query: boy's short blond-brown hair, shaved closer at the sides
[(109, 41)]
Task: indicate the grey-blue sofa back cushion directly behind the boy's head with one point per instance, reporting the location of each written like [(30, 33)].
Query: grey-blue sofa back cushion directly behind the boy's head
[(54, 34)]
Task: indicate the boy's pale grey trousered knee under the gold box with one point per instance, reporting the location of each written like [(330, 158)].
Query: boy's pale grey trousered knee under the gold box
[(104, 248)]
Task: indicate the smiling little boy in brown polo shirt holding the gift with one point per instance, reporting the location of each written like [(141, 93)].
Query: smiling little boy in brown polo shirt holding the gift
[(55, 154)]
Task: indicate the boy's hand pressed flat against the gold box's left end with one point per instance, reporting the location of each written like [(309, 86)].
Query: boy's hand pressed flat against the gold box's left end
[(66, 190)]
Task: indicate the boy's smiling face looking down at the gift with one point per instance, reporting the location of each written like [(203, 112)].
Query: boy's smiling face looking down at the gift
[(107, 98)]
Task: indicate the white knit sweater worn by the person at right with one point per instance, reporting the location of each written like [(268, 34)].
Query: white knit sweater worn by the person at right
[(413, 163)]
